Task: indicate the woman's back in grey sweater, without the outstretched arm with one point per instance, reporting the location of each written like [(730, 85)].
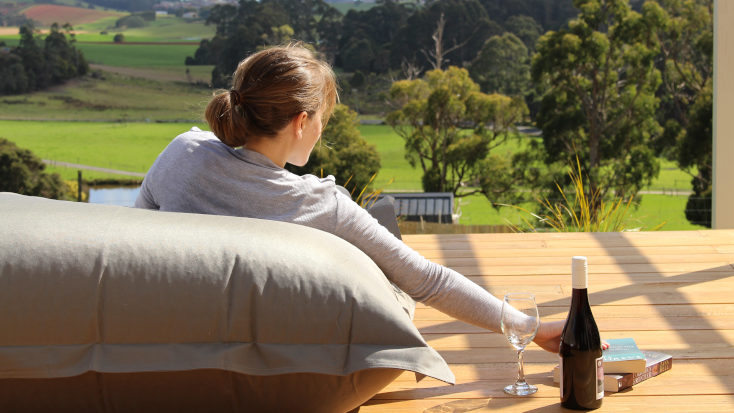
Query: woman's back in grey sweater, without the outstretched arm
[(197, 173)]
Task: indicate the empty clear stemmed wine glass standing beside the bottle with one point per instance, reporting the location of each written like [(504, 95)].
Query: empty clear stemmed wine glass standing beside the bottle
[(520, 323)]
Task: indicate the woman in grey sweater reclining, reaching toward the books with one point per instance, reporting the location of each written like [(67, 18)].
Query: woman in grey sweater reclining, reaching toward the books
[(274, 115)]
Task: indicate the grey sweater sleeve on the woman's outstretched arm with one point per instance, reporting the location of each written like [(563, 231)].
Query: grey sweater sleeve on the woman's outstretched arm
[(432, 284)]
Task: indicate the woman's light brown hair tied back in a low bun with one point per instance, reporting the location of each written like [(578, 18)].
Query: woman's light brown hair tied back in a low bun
[(269, 89)]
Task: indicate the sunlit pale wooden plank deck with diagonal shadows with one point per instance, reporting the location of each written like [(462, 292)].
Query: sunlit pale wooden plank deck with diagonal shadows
[(671, 291)]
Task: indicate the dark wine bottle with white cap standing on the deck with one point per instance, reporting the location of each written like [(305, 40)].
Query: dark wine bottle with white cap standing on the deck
[(581, 362)]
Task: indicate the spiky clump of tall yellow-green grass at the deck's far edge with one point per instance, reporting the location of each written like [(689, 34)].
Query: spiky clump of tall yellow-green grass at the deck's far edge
[(583, 213)]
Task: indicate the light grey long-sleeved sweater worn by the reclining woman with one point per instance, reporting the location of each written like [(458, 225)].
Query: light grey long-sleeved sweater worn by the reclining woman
[(197, 173)]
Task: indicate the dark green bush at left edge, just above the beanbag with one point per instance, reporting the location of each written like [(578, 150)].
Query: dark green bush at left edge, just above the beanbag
[(22, 172)]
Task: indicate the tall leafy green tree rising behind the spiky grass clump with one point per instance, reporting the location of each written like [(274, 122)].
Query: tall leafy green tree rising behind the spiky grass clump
[(599, 101)]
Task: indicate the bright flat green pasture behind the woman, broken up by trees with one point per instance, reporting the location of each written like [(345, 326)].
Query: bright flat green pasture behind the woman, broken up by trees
[(134, 147)]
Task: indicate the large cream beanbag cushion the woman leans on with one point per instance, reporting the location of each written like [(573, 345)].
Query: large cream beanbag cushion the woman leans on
[(108, 309)]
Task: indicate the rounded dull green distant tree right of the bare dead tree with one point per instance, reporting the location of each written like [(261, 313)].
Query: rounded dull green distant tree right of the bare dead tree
[(503, 66)]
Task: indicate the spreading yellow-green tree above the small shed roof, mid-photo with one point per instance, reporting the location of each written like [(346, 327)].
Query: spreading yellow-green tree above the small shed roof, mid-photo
[(430, 116)]
